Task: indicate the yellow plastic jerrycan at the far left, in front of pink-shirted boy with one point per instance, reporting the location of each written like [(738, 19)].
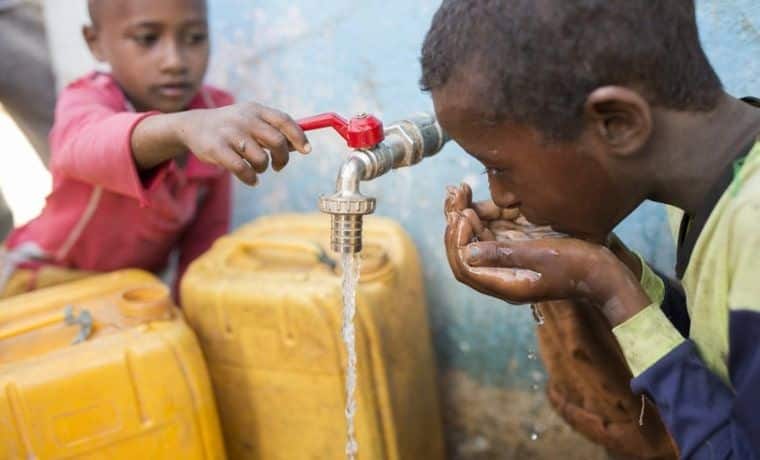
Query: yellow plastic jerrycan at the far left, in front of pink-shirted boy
[(133, 386)]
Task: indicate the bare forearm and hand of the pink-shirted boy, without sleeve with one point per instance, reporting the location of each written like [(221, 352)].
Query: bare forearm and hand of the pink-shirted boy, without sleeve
[(233, 137)]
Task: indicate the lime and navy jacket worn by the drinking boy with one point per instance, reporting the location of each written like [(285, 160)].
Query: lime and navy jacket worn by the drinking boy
[(695, 351)]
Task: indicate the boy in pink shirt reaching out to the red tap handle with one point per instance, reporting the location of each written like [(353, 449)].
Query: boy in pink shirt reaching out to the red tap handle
[(141, 156)]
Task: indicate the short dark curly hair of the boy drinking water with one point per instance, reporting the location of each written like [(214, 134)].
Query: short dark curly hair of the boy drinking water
[(540, 59)]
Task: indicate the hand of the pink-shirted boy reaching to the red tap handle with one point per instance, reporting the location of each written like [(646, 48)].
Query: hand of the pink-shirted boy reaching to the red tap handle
[(242, 138)]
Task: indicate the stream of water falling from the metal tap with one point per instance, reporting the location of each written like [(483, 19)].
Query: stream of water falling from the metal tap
[(351, 263)]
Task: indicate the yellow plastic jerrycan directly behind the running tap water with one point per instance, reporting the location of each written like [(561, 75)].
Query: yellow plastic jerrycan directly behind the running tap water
[(266, 304)]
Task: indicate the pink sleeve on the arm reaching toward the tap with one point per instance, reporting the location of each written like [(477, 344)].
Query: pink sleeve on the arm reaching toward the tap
[(91, 142)]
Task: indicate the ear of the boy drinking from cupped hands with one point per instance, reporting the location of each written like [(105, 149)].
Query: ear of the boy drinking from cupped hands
[(620, 117)]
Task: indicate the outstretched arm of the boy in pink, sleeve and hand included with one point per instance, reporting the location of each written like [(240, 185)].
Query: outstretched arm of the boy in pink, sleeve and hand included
[(92, 140)]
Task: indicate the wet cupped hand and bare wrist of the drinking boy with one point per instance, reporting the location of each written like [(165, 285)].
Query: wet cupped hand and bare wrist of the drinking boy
[(562, 268)]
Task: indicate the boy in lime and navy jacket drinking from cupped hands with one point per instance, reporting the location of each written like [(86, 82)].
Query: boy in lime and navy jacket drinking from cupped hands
[(580, 111)]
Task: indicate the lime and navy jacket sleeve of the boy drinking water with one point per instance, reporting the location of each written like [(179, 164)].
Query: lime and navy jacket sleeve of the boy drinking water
[(709, 418)]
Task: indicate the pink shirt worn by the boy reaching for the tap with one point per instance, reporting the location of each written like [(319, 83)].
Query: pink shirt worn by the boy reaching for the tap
[(101, 215)]
